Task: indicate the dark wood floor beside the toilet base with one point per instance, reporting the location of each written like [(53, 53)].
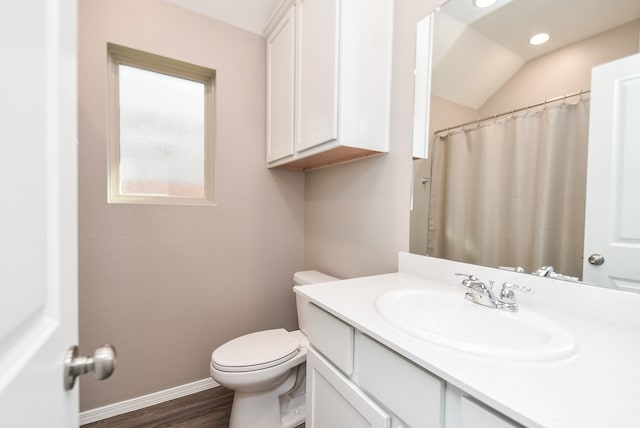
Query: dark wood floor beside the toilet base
[(210, 409)]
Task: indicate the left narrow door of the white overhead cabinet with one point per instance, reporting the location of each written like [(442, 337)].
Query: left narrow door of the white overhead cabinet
[(280, 88)]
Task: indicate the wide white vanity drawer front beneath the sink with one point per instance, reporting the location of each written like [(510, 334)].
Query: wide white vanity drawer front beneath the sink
[(404, 388)]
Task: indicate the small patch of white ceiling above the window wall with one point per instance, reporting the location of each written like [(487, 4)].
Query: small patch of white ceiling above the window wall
[(250, 15)]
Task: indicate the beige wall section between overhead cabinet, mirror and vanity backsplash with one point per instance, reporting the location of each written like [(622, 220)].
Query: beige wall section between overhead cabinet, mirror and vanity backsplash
[(357, 214)]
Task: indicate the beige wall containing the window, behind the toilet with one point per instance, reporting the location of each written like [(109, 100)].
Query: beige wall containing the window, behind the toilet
[(167, 284)]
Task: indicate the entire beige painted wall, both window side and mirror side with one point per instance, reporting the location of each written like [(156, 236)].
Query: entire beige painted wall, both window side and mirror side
[(168, 284)]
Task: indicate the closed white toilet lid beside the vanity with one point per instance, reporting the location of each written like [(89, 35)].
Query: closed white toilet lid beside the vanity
[(256, 351)]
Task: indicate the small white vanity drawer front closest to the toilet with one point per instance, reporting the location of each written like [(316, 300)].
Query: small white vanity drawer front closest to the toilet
[(332, 337)]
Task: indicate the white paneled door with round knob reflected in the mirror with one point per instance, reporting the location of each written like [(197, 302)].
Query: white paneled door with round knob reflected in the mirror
[(612, 221)]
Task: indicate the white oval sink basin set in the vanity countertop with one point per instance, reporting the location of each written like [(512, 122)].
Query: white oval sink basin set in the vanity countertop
[(448, 319)]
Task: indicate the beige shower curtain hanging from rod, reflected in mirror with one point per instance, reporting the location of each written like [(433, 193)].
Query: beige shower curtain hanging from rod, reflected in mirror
[(511, 192)]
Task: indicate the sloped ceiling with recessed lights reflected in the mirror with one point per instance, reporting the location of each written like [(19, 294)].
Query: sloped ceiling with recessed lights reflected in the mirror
[(493, 43)]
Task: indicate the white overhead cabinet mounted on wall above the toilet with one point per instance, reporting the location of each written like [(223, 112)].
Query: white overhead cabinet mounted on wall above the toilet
[(328, 82)]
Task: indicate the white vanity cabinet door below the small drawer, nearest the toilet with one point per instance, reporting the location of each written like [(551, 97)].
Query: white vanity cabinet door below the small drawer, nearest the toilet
[(333, 401)]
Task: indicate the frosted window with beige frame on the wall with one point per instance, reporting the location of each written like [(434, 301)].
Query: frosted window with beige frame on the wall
[(161, 129)]
